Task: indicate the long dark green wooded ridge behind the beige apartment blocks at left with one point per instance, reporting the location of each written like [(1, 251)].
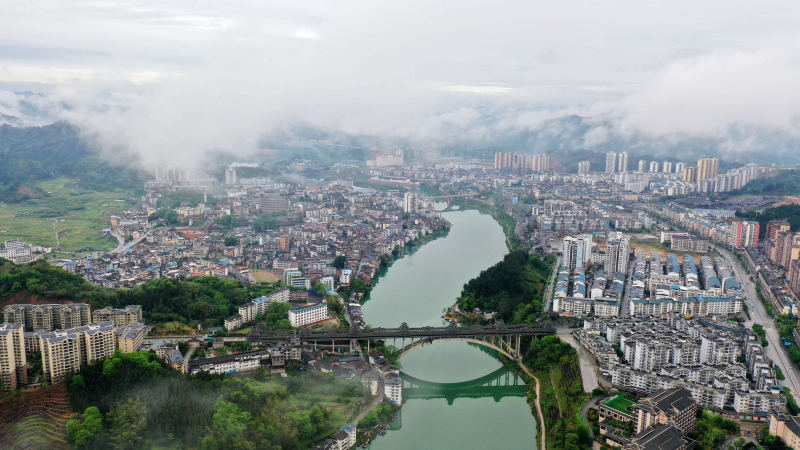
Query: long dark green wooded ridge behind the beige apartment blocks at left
[(206, 300)]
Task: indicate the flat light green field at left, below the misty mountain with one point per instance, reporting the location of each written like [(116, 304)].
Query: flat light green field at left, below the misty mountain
[(78, 216)]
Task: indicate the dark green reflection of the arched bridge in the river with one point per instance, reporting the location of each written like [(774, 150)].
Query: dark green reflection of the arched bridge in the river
[(498, 384)]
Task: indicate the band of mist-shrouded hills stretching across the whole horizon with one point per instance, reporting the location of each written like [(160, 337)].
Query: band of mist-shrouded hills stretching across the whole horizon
[(38, 147)]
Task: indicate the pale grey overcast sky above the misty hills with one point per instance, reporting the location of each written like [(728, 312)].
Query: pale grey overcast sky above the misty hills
[(176, 78)]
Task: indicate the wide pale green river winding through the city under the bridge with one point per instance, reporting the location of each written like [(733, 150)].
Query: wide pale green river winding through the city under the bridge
[(416, 289)]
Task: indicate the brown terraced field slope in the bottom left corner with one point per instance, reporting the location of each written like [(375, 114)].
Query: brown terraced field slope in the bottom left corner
[(35, 419)]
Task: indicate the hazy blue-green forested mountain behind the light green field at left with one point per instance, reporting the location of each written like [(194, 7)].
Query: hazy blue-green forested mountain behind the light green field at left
[(34, 154)]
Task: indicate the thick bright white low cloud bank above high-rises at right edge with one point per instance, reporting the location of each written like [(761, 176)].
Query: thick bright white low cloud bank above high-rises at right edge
[(709, 95)]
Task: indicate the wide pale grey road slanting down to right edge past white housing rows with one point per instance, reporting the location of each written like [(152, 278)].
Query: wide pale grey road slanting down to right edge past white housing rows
[(758, 314)]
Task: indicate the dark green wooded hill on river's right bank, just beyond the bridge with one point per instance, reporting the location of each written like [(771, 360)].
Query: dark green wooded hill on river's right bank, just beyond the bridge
[(514, 287)]
